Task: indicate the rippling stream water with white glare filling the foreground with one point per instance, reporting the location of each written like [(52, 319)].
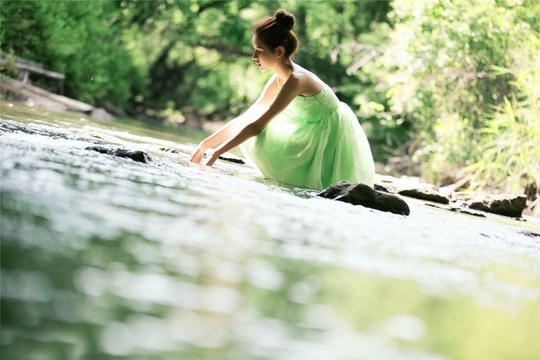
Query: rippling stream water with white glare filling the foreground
[(104, 257)]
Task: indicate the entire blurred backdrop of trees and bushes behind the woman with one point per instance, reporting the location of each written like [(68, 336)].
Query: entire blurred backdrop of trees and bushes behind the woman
[(446, 90)]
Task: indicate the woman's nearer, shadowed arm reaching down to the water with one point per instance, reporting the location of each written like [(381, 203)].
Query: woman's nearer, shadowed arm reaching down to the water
[(290, 89)]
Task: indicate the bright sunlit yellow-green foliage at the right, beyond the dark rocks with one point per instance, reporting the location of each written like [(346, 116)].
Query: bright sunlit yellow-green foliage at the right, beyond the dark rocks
[(449, 67)]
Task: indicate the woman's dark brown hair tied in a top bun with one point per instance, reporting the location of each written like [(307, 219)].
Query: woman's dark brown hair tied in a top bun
[(276, 31)]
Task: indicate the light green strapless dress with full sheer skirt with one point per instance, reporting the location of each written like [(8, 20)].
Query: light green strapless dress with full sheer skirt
[(314, 142)]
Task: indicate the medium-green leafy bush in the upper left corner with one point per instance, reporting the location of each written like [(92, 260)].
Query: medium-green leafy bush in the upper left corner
[(79, 39)]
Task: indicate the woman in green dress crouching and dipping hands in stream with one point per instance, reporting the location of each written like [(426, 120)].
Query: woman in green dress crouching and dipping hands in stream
[(297, 131)]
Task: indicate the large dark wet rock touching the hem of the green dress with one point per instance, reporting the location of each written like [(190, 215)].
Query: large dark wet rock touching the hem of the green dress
[(362, 194)]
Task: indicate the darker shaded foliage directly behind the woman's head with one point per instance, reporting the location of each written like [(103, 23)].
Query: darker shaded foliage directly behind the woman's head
[(203, 48)]
